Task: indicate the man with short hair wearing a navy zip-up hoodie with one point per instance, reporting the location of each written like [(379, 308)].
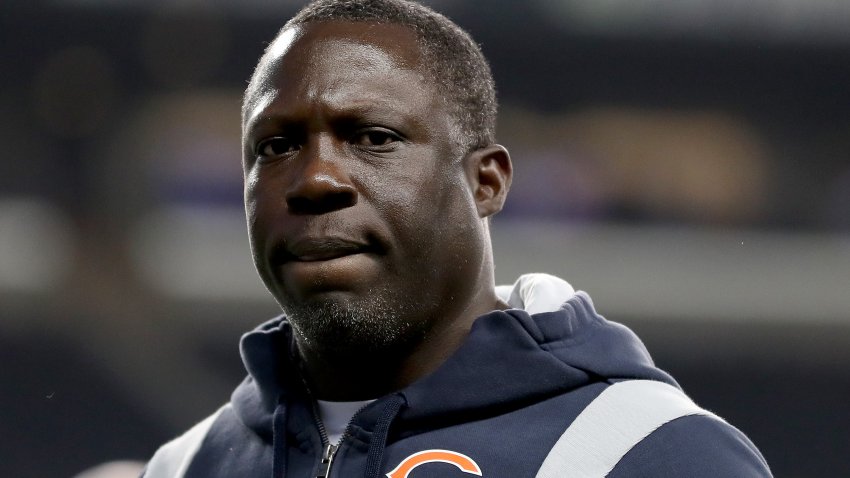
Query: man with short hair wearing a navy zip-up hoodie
[(371, 172)]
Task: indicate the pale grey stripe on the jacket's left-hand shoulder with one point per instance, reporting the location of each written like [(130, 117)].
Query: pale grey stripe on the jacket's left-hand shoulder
[(173, 459)]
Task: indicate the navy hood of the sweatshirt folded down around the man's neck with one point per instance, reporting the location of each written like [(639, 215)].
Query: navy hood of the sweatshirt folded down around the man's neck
[(510, 359)]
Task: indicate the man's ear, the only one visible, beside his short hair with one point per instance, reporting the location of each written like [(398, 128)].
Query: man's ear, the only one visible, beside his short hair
[(489, 172)]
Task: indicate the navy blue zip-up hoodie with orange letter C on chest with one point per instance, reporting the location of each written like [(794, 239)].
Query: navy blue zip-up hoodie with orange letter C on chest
[(496, 408)]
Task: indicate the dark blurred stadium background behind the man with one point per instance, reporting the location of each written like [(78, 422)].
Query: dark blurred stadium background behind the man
[(687, 162)]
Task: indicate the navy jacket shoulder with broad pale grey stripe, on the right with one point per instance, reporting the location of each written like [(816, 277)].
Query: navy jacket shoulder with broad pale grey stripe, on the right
[(643, 424)]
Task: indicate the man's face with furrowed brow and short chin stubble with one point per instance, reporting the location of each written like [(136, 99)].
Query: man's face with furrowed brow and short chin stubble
[(360, 214)]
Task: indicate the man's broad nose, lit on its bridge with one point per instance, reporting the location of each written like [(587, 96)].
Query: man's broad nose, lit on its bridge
[(322, 183)]
